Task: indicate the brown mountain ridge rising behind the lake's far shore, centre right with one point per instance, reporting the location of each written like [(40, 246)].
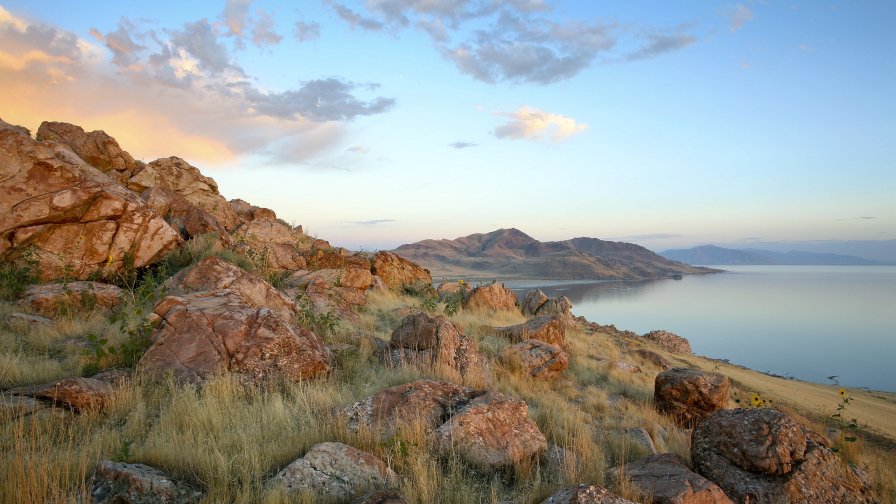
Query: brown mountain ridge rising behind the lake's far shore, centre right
[(510, 253)]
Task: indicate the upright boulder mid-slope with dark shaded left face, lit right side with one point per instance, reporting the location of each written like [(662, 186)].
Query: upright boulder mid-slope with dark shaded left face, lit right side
[(436, 341)]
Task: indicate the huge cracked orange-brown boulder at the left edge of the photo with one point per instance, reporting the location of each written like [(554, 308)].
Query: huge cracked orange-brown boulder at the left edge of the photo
[(78, 221)]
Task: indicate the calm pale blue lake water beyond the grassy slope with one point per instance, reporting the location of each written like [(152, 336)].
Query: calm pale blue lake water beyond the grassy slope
[(808, 322)]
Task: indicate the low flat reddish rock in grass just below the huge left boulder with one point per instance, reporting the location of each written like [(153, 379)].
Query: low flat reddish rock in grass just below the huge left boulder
[(53, 299)]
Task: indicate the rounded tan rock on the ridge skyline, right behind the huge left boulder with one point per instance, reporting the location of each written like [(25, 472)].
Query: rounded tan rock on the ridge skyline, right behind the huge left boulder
[(177, 175)]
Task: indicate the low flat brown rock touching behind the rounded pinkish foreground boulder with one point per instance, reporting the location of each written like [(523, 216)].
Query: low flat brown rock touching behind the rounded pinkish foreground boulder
[(425, 401)]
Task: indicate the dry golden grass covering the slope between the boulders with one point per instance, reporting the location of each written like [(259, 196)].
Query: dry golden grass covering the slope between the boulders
[(229, 438)]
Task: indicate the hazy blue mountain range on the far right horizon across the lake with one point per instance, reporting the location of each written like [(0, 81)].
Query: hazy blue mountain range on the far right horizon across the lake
[(711, 254)]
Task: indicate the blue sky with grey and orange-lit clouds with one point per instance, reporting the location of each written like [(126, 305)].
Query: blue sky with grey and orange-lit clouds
[(381, 122)]
